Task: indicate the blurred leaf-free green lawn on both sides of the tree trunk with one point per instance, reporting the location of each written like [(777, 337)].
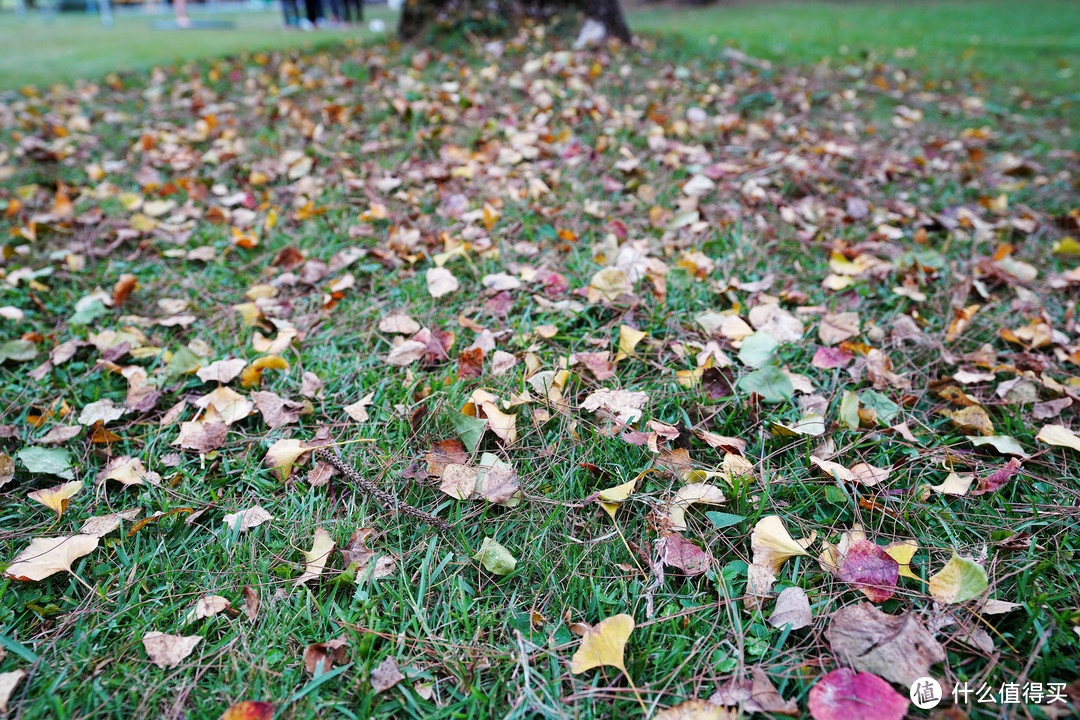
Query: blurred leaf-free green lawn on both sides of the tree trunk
[(1032, 44)]
